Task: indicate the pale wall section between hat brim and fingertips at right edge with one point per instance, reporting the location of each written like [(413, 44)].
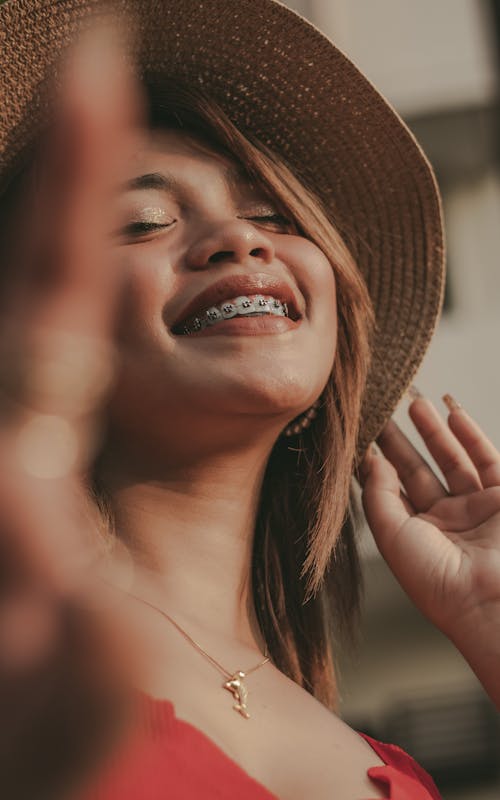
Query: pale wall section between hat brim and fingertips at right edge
[(464, 356)]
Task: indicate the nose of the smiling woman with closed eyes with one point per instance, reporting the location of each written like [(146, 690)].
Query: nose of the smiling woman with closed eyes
[(237, 242)]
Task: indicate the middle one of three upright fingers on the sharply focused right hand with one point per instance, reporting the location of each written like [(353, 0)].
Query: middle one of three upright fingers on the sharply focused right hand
[(455, 464)]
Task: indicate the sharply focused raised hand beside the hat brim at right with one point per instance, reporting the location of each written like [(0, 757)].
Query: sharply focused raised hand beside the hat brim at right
[(442, 542)]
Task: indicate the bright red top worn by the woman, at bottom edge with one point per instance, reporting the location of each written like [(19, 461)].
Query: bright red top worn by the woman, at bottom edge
[(173, 760)]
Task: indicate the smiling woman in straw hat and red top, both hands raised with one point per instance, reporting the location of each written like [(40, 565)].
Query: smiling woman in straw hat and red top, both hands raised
[(247, 387)]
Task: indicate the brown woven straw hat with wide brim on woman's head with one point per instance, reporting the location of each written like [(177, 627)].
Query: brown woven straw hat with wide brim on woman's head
[(278, 77)]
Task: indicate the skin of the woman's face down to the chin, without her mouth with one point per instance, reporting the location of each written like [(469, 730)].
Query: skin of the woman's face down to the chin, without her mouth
[(267, 380)]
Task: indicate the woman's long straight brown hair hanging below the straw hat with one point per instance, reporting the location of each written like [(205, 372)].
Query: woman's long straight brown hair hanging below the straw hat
[(306, 577)]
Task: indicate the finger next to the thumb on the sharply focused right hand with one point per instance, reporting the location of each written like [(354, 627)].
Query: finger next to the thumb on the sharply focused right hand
[(420, 482)]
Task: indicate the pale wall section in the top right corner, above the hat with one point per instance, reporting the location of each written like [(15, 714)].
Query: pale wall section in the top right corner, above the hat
[(423, 55)]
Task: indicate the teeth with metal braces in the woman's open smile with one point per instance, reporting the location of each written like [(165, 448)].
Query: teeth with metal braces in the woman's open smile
[(244, 306)]
